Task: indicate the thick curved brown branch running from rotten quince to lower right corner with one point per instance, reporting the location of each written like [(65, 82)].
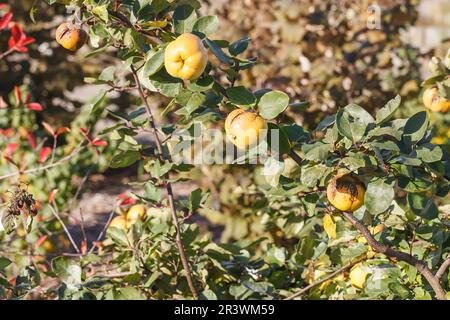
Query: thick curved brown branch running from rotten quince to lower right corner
[(381, 248)]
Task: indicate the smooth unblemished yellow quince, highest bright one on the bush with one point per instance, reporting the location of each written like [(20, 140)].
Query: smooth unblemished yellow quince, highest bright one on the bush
[(186, 57)]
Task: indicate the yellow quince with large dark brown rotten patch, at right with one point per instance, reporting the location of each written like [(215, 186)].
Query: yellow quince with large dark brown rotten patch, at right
[(346, 192)]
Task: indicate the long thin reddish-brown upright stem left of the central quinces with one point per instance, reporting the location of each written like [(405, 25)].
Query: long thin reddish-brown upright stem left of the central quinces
[(169, 189)]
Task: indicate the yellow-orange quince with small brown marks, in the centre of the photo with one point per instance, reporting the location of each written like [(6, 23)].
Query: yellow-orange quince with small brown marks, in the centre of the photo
[(245, 128)]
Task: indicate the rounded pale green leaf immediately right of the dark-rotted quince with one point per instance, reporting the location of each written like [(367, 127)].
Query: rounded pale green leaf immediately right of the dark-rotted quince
[(379, 196)]
